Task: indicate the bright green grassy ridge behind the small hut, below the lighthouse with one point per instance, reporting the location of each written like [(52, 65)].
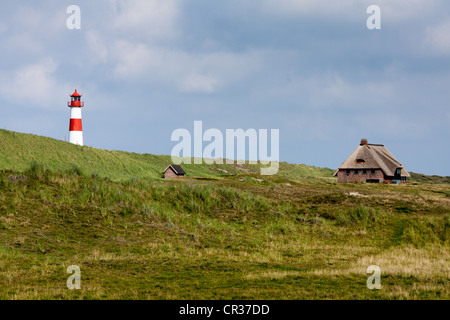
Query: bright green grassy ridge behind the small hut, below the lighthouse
[(19, 151)]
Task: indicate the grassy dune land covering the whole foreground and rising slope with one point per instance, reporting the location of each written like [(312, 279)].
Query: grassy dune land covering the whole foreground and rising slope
[(213, 235)]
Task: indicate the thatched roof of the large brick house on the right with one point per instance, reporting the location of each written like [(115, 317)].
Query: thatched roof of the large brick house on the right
[(373, 156)]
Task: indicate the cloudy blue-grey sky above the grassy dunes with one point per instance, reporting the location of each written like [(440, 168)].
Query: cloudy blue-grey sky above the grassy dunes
[(311, 69)]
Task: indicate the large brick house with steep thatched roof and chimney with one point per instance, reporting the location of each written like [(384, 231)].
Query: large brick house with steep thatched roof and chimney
[(371, 163)]
